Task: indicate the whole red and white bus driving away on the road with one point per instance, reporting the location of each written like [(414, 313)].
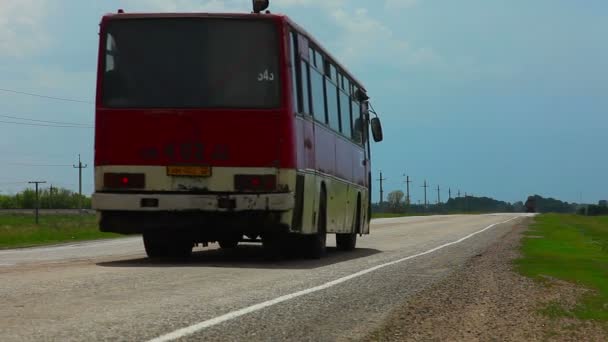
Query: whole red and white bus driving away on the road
[(228, 128)]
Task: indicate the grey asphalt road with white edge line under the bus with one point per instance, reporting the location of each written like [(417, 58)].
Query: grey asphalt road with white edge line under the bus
[(108, 290)]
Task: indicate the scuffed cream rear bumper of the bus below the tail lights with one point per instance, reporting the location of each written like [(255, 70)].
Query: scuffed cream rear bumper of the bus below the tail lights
[(185, 202)]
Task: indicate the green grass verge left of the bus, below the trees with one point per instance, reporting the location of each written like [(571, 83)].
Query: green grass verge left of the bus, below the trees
[(18, 230)]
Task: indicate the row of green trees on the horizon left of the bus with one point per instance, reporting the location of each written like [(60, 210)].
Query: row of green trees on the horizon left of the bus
[(59, 198)]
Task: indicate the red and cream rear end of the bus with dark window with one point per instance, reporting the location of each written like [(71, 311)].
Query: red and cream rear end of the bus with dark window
[(193, 136)]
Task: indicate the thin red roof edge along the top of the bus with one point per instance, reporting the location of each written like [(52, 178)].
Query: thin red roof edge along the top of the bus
[(277, 17)]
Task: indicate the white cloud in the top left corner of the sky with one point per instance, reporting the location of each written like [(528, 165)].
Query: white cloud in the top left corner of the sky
[(22, 28)]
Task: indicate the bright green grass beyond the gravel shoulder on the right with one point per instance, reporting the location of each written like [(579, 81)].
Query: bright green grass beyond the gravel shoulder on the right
[(575, 249)]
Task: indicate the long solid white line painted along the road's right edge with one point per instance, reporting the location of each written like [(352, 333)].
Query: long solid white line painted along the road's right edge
[(237, 313)]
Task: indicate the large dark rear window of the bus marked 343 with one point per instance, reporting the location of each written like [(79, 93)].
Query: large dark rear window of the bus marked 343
[(191, 63)]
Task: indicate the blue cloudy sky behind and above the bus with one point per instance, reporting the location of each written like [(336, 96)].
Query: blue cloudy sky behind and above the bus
[(503, 98)]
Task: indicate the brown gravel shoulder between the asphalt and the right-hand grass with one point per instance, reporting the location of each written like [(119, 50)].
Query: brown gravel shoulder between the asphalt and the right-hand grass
[(487, 301)]
